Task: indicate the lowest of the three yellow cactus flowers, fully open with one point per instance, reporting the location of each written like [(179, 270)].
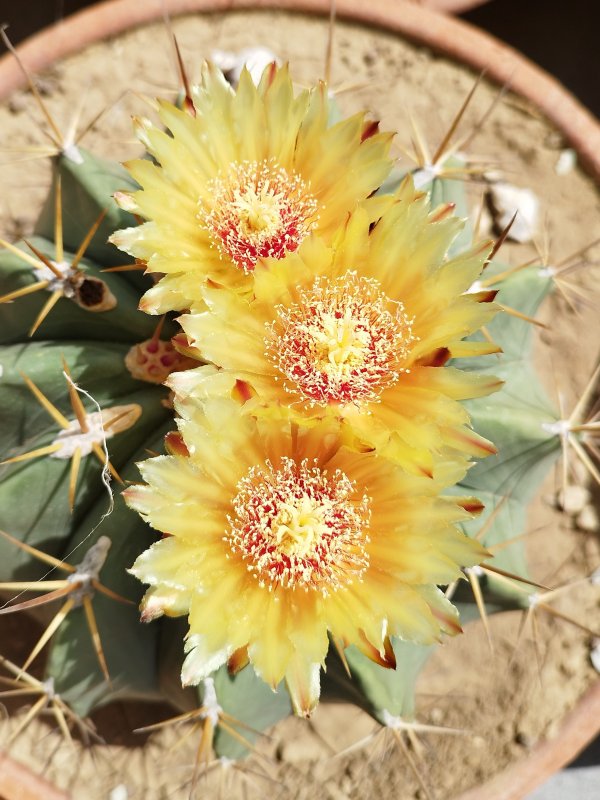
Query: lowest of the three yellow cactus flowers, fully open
[(279, 536)]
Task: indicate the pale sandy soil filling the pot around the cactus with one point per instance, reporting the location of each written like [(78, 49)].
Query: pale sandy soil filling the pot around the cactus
[(502, 701)]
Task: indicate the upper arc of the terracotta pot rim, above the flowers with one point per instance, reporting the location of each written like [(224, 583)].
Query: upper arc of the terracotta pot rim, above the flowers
[(454, 37)]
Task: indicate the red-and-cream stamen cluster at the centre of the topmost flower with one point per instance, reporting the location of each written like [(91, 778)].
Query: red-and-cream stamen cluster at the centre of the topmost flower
[(258, 210)]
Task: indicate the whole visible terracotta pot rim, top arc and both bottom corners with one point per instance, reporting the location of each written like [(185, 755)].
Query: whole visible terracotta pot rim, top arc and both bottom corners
[(457, 40)]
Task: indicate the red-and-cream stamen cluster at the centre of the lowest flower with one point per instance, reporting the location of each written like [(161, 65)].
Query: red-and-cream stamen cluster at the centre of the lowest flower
[(298, 527)]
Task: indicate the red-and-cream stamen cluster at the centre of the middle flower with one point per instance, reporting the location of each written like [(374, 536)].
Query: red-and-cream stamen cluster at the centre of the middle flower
[(343, 342)]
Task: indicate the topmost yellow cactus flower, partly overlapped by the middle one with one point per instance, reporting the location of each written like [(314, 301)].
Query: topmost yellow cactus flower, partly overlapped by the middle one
[(244, 178)]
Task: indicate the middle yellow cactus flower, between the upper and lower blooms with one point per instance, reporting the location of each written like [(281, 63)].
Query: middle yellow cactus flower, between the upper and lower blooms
[(359, 331)]
